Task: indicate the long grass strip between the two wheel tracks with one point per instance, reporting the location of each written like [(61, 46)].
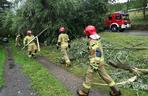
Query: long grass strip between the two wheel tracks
[(43, 82)]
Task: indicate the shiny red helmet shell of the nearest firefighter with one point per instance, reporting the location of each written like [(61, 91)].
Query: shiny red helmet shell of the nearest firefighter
[(90, 30)]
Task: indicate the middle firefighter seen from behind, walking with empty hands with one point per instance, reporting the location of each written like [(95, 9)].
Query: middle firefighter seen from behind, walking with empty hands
[(63, 42)]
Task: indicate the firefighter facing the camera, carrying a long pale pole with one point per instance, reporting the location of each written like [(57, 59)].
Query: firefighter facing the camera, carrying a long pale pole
[(32, 48)]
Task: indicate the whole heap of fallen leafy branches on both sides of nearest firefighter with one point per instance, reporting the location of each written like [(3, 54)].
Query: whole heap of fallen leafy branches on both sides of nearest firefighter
[(120, 61)]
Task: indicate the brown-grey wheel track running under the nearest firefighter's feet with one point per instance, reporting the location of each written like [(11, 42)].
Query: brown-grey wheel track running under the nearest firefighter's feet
[(69, 80)]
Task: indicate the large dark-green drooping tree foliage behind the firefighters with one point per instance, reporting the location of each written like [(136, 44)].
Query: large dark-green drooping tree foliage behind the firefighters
[(37, 14)]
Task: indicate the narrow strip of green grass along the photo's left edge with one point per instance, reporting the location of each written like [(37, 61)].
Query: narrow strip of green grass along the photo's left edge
[(2, 61)]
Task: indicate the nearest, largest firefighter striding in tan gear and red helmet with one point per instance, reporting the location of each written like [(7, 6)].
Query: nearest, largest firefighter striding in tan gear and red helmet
[(96, 60)]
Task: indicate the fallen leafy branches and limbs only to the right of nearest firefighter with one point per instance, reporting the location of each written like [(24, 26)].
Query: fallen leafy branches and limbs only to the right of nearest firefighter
[(125, 64)]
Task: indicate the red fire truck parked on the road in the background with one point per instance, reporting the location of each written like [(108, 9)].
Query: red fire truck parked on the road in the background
[(117, 21)]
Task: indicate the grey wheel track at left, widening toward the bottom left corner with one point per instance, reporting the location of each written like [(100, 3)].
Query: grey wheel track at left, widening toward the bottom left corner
[(17, 84)]
